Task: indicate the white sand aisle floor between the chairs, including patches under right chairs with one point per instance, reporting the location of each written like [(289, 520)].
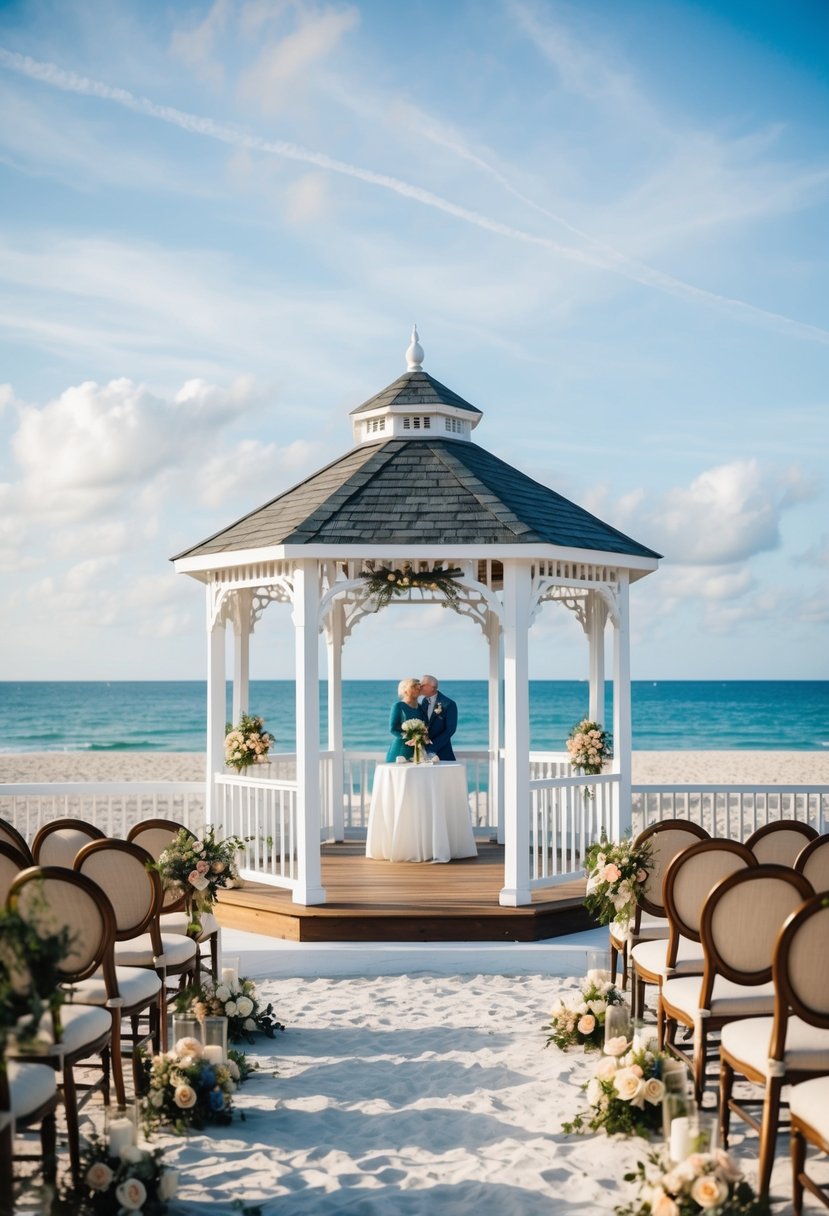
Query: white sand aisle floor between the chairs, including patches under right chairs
[(415, 1095)]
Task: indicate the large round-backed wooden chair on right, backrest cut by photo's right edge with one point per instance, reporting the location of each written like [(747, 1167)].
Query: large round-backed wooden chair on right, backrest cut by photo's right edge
[(793, 1045)]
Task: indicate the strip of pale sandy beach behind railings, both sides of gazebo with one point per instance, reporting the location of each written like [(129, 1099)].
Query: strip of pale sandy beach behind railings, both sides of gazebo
[(650, 768)]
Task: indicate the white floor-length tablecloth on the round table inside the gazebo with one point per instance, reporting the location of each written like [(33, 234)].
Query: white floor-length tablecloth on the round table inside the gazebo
[(420, 813)]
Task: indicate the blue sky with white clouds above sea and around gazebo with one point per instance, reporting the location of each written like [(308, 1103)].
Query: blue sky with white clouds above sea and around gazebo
[(221, 219)]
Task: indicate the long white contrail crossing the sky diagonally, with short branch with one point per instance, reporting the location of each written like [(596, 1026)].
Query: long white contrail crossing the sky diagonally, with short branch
[(602, 257)]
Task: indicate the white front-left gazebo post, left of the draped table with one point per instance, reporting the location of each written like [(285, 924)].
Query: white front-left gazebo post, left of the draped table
[(307, 638)]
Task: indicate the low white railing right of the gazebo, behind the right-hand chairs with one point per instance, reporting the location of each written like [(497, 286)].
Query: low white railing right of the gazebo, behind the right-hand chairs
[(731, 812)]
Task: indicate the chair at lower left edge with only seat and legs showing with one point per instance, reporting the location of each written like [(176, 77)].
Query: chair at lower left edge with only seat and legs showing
[(29, 1096)]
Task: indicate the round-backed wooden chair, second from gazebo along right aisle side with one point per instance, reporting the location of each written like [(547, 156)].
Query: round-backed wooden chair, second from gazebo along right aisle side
[(687, 882)]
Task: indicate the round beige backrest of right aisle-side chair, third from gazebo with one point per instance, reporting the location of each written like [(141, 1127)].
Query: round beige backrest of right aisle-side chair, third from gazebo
[(742, 922)]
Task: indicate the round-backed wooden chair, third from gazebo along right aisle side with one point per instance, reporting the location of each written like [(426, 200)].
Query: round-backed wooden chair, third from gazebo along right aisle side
[(741, 924)]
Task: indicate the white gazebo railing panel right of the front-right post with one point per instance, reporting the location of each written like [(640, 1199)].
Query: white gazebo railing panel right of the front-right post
[(567, 817)]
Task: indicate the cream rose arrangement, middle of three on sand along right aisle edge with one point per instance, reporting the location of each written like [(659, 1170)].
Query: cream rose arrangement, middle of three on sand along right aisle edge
[(625, 1094)]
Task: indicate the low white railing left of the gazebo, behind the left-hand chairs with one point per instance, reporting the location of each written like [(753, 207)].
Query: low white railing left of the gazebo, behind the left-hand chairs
[(114, 807)]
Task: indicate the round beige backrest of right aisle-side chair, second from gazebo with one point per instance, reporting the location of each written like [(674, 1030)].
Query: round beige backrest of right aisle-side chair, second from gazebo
[(689, 881)]
